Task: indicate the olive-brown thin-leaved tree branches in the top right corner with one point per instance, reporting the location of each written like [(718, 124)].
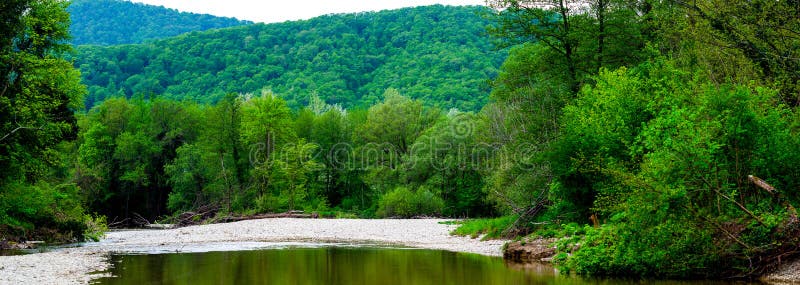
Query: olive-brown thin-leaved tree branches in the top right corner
[(763, 32)]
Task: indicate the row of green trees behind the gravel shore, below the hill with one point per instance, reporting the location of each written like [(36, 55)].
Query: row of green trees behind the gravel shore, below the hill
[(252, 154)]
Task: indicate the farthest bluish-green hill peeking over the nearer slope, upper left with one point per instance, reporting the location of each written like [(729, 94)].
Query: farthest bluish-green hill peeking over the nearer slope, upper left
[(111, 22)]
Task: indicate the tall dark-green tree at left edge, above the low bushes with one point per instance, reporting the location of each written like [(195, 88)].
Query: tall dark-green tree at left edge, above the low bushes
[(39, 88)]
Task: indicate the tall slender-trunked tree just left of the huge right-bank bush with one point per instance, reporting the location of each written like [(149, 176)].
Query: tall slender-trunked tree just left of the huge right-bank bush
[(557, 48)]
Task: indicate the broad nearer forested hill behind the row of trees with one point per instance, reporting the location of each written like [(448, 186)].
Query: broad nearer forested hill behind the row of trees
[(439, 54)]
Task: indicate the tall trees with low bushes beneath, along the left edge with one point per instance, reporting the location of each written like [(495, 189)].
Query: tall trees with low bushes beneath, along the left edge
[(39, 92)]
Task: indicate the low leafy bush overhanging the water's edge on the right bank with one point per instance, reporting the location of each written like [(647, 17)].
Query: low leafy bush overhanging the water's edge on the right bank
[(662, 248)]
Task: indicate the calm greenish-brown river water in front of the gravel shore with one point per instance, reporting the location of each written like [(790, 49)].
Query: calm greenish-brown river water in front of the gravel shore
[(344, 265)]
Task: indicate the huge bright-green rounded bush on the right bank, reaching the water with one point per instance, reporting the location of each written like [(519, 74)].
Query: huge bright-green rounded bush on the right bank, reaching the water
[(665, 162)]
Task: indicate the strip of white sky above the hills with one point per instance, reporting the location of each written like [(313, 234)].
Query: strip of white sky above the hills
[(282, 10)]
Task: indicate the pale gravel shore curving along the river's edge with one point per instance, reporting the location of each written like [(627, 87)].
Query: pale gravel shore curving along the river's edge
[(77, 265)]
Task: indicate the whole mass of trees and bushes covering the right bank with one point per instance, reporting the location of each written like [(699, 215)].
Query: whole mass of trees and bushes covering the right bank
[(646, 140)]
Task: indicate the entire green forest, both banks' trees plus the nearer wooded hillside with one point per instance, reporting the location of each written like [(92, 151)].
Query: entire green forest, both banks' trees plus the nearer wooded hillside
[(653, 138)]
